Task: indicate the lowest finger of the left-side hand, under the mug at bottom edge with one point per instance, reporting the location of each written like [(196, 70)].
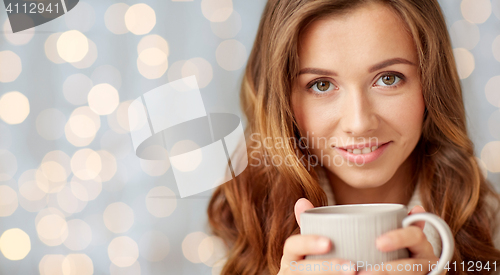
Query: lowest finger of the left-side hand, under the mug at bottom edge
[(320, 267)]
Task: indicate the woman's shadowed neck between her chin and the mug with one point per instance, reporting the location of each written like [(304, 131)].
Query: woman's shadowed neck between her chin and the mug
[(399, 189)]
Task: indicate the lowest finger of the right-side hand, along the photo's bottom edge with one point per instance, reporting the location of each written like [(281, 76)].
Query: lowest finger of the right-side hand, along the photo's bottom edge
[(398, 267)]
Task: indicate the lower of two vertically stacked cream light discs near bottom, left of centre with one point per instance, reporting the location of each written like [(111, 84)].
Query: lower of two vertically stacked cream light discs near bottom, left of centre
[(123, 251)]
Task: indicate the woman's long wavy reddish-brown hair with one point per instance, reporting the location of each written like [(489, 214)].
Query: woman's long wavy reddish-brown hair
[(254, 213)]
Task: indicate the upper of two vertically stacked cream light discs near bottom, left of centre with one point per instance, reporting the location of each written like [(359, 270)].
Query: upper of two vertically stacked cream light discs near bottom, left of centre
[(118, 217)]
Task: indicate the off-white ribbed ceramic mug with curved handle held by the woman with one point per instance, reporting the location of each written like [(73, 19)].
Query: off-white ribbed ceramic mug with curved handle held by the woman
[(354, 228)]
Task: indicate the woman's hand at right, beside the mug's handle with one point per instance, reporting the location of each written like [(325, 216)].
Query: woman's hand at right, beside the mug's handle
[(413, 238)]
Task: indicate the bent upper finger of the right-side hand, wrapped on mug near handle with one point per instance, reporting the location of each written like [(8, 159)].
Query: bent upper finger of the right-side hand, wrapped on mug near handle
[(411, 237)]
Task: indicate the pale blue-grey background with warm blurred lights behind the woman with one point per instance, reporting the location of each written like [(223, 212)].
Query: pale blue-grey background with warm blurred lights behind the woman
[(74, 198)]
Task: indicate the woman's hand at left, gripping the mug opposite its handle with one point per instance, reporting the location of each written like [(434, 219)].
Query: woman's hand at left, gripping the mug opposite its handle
[(297, 246)]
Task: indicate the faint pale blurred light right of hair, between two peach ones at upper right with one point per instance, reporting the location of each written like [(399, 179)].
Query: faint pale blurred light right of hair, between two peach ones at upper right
[(464, 34)]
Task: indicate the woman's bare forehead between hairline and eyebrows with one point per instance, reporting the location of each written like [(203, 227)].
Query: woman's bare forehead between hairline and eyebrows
[(368, 33)]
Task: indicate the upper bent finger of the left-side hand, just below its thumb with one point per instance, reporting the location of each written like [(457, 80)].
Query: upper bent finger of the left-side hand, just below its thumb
[(297, 246)]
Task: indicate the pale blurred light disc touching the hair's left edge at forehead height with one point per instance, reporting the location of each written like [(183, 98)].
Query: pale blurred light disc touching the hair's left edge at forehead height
[(231, 55)]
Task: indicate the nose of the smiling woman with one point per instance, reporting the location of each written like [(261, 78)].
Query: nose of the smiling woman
[(358, 115)]
